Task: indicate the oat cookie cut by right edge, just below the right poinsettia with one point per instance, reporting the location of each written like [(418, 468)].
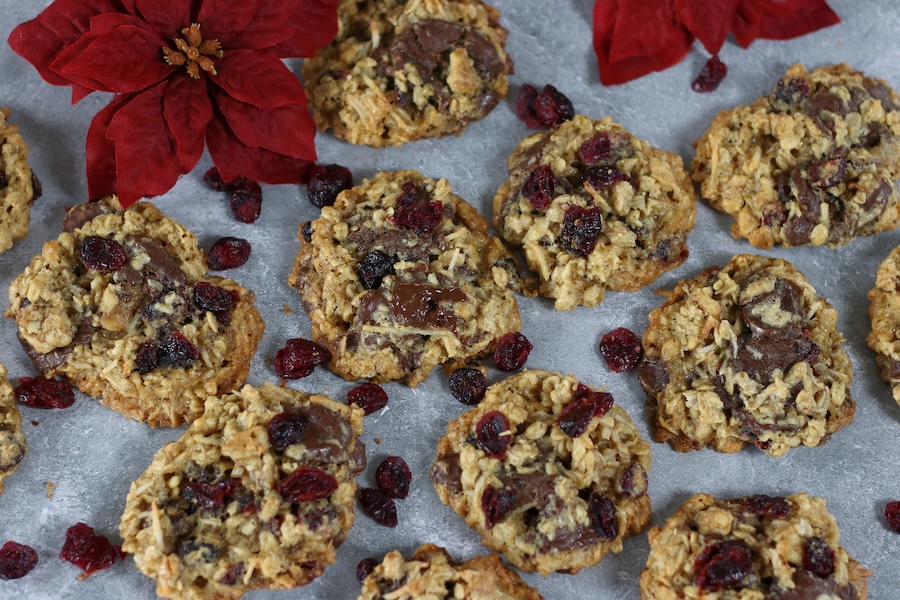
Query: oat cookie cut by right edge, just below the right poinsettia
[(813, 163)]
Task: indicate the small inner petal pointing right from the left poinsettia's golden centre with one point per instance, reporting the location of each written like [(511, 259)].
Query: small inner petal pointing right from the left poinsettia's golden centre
[(258, 78)]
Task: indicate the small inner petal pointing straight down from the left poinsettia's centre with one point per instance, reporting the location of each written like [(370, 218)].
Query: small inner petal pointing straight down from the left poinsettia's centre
[(187, 110)]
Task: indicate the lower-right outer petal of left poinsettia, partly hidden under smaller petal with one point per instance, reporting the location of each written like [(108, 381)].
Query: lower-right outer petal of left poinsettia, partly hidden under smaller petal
[(235, 159)]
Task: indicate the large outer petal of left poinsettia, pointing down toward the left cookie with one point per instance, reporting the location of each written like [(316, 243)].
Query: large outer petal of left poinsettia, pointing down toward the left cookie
[(146, 154)]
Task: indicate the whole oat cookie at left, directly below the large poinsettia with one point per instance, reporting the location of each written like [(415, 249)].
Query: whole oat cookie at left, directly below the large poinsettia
[(122, 305)]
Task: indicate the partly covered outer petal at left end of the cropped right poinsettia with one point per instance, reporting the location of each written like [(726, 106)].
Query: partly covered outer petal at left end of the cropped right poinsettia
[(615, 72)]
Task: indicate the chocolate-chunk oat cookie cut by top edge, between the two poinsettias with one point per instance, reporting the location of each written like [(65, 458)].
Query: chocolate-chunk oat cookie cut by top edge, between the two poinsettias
[(400, 71)]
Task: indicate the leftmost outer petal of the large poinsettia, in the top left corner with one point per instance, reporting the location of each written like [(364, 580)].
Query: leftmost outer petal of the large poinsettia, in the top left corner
[(41, 39)]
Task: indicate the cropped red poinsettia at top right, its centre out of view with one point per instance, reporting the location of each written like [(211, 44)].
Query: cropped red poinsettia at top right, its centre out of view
[(635, 37)]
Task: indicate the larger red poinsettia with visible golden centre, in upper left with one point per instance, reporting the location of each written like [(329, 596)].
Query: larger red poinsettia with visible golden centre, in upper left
[(184, 73)]
